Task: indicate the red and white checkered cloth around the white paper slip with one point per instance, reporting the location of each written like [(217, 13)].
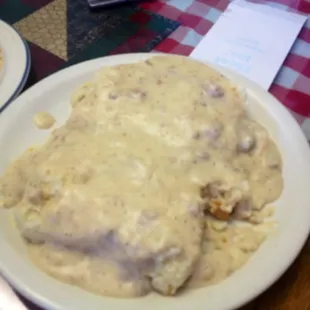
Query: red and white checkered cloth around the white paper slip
[(292, 84)]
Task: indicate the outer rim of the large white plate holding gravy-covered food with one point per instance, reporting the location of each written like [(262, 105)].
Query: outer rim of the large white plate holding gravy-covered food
[(50, 304)]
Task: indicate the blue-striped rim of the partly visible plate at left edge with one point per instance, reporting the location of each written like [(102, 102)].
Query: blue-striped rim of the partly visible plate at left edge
[(26, 72)]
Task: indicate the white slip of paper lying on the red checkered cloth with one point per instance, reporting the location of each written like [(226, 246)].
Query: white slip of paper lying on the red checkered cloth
[(252, 39)]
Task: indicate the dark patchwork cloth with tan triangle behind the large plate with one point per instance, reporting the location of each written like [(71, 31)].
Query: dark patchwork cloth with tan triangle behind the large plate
[(61, 33)]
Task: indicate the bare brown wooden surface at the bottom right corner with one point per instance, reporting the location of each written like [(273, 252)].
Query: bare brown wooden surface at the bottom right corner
[(292, 291)]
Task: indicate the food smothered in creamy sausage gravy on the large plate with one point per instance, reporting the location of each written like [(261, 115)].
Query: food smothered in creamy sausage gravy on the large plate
[(141, 189)]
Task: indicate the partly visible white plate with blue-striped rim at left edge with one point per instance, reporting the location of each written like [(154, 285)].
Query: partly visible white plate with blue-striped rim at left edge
[(14, 74)]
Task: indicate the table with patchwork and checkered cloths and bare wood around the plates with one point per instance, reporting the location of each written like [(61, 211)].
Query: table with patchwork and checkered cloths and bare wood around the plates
[(170, 26)]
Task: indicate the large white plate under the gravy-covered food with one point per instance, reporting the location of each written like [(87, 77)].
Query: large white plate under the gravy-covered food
[(268, 263)]
